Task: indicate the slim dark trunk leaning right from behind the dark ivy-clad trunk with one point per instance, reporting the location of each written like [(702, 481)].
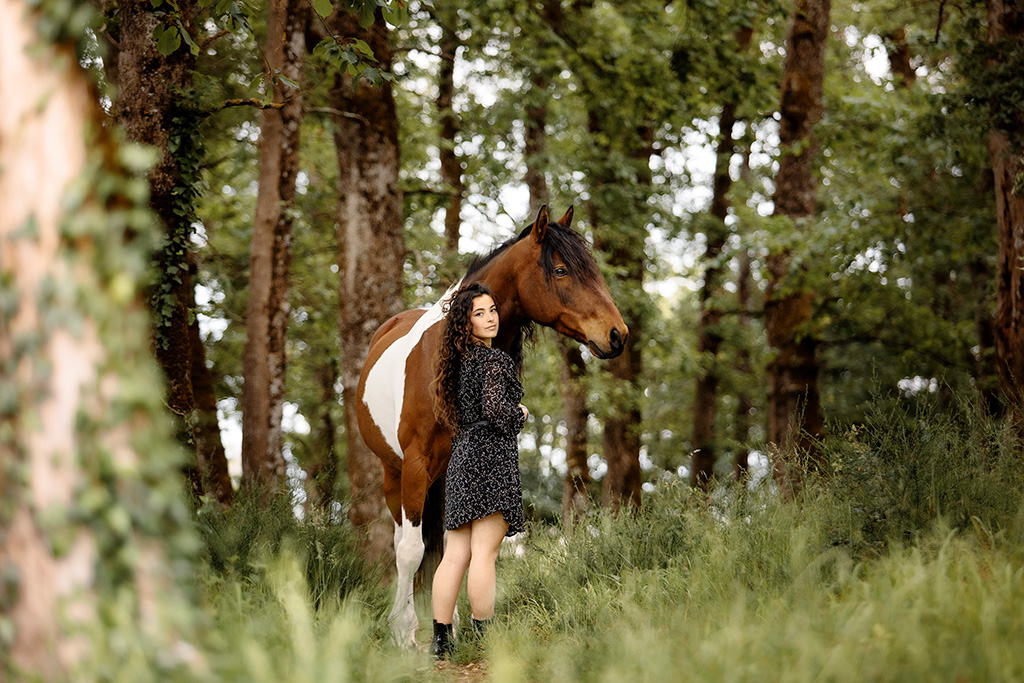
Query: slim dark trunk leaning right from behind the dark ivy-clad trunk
[(215, 478)]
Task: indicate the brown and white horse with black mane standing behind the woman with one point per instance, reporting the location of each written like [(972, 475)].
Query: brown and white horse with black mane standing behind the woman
[(546, 275)]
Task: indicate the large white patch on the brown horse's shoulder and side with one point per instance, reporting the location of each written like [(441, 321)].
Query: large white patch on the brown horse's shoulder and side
[(386, 388)]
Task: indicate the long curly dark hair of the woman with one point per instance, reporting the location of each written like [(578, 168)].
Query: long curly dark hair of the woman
[(456, 339)]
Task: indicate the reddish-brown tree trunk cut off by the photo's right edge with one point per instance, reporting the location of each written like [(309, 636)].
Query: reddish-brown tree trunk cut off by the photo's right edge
[(1006, 30)]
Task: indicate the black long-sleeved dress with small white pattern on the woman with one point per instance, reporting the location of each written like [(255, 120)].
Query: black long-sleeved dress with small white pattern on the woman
[(484, 474)]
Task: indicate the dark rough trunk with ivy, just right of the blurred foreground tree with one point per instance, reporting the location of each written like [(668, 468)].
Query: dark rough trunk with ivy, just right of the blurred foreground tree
[(152, 112)]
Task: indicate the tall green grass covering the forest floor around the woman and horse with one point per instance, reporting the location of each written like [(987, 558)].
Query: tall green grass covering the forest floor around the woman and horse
[(907, 564)]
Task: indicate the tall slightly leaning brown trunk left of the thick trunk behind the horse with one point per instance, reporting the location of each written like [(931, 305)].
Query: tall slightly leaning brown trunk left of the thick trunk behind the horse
[(271, 254)]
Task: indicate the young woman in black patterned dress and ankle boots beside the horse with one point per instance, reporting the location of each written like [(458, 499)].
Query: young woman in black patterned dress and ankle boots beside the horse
[(477, 396)]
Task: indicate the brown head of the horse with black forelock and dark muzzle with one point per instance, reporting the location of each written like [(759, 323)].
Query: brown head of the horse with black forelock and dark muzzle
[(560, 285)]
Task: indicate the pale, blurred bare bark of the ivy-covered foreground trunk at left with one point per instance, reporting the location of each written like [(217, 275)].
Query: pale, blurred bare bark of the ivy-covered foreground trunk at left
[(47, 146)]
